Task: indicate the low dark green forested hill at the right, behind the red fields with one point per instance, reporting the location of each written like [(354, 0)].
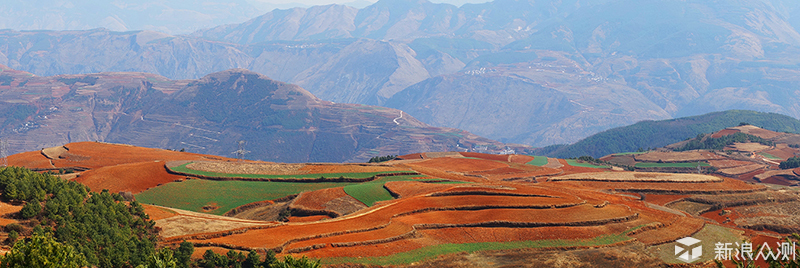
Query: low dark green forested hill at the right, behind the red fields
[(653, 134)]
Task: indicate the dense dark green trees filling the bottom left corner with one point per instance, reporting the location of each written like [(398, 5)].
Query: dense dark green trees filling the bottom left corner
[(67, 225)]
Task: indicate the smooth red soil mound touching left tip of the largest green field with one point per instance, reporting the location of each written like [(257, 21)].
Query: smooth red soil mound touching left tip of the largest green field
[(134, 178)]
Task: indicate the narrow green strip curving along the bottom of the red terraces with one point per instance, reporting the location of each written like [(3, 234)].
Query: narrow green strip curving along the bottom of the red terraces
[(438, 250)]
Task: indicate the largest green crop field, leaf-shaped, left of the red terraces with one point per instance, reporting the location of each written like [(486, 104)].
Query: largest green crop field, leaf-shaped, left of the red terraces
[(193, 195)]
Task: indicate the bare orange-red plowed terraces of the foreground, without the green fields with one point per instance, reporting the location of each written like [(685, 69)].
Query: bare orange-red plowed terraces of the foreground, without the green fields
[(487, 205)]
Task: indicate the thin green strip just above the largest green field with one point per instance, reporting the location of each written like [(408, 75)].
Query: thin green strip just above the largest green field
[(358, 175)]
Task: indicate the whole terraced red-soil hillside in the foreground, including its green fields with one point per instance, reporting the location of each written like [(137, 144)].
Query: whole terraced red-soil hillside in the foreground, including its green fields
[(420, 209)]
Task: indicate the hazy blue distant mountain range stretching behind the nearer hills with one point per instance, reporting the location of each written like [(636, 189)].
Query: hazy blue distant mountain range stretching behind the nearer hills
[(517, 71)]
